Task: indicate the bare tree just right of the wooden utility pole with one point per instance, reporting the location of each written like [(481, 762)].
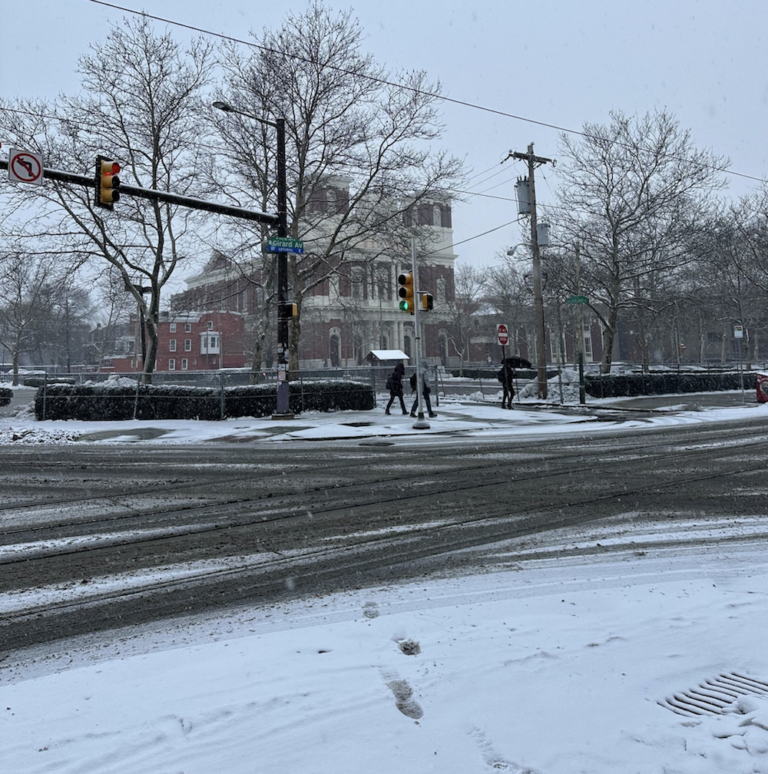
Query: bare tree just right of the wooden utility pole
[(629, 193)]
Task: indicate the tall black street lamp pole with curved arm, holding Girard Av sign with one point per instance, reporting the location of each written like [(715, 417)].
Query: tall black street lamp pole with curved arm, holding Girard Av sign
[(283, 315)]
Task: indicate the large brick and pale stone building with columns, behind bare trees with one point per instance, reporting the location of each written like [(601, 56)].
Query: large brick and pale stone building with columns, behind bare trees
[(354, 309)]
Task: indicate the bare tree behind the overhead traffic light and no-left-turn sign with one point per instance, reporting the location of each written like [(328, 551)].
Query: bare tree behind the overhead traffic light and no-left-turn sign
[(140, 104)]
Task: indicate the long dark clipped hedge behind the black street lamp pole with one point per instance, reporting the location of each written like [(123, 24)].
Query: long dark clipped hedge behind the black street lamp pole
[(122, 399)]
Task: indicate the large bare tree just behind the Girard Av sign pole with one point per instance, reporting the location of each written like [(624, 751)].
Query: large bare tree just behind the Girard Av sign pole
[(359, 158)]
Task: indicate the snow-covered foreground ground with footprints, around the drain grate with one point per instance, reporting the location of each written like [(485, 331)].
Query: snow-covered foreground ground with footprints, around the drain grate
[(552, 667)]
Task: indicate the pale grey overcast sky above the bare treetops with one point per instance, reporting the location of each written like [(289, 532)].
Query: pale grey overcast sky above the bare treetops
[(558, 62)]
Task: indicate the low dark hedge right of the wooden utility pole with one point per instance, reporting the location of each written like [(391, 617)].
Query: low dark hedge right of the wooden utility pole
[(668, 383)]
